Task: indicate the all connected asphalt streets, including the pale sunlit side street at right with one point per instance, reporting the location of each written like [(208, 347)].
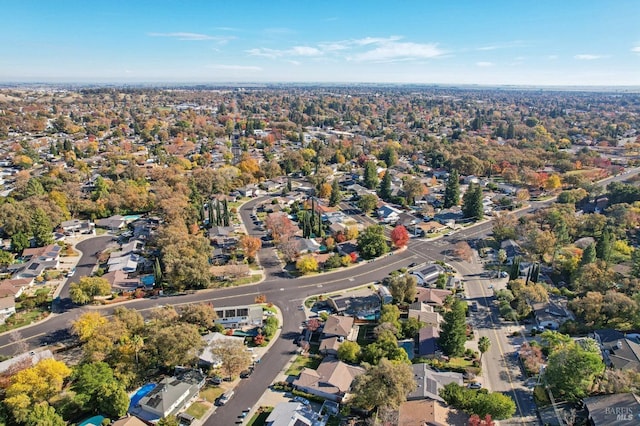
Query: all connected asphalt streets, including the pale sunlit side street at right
[(288, 294)]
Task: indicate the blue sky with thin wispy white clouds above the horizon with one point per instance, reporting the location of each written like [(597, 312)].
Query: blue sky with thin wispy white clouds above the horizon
[(521, 42)]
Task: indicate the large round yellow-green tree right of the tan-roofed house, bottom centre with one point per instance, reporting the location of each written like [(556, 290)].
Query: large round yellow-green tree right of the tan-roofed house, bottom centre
[(382, 386)]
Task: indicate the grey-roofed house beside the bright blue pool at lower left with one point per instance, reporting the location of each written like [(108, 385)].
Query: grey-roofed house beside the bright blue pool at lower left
[(172, 394)]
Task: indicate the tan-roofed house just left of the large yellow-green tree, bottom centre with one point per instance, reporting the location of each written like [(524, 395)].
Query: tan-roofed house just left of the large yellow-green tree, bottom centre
[(332, 380)]
